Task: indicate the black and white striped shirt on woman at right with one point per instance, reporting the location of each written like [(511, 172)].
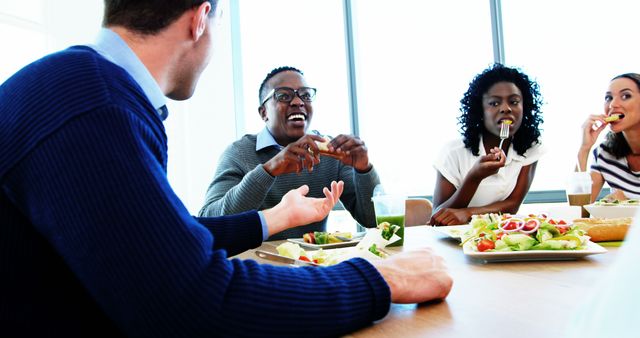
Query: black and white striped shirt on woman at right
[(616, 172)]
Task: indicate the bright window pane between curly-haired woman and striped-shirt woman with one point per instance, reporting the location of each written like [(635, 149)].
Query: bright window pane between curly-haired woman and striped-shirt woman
[(573, 55)]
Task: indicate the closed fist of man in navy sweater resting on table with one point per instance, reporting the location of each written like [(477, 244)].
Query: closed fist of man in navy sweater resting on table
[(415, 276)]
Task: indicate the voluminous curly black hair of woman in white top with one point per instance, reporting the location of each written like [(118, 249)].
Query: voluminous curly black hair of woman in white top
[(471, 120)]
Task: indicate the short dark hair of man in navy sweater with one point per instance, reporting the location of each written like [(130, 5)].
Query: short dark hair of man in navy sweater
[(148, 16)]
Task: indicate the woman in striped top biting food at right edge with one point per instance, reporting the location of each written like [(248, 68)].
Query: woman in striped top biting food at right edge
[(617, 158)]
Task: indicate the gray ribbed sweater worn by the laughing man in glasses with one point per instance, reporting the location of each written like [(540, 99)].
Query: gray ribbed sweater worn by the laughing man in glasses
[(242, 184)]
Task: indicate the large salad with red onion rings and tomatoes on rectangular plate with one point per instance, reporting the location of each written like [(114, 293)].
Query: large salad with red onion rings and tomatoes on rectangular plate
[(493, 232)]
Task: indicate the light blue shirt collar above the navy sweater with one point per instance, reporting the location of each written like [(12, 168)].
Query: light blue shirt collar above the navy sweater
[(111, 46)]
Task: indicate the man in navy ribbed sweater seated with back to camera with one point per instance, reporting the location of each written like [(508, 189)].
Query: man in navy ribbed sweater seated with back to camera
[(93, 240)]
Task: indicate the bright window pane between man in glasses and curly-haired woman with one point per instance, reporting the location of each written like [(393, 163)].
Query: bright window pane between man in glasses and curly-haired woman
[(414, 61)]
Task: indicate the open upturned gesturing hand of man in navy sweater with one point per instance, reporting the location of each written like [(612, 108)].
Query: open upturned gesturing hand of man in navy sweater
[(296, 209)]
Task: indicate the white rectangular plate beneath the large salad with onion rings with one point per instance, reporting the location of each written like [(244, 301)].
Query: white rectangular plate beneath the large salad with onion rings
[(535, 255)]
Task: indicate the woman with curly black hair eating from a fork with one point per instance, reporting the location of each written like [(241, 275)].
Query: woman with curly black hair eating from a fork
[(475, 176)]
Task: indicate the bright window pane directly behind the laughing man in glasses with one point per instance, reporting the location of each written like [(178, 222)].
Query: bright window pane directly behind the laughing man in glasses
[(308, 35)]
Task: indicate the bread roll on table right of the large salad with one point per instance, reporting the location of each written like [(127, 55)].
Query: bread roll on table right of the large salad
[(604, 229)]
